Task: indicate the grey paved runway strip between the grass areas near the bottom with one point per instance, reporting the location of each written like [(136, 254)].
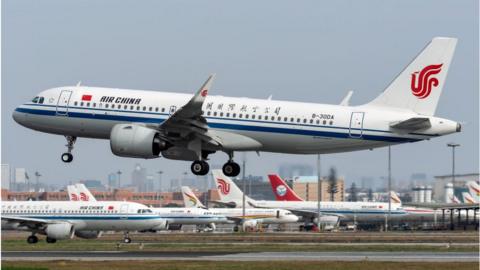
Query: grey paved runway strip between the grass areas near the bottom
[(226, 256)]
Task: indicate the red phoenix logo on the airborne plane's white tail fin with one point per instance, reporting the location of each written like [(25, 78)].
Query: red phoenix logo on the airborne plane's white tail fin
[(422, 86)]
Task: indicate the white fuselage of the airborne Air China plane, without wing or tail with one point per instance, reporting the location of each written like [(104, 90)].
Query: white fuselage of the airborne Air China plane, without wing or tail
[(274, 126)]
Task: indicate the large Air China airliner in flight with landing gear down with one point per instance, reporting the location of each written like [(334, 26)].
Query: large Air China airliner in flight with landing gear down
[(149, 124)]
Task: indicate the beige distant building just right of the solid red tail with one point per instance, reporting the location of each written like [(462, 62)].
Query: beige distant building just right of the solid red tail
[(306, 187)]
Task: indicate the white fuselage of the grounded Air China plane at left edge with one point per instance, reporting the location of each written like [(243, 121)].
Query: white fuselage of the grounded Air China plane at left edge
[(85, 216)]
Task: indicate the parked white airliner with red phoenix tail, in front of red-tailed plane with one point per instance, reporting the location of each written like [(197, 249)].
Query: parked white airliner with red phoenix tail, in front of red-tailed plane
[(231, 195)]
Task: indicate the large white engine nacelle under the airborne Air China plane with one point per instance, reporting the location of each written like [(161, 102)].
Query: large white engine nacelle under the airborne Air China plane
[(129, 140)]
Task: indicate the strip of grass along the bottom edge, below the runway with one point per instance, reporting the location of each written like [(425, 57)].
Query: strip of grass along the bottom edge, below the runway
[(200, 265)]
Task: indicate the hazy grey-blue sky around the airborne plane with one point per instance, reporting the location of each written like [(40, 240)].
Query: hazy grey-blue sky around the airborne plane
[(294, 50)]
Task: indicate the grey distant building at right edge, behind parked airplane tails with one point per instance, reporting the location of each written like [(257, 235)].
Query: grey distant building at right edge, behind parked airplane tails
[(439, 190)]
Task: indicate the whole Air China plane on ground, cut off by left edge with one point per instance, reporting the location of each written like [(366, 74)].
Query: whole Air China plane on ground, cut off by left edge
[(60, 220)]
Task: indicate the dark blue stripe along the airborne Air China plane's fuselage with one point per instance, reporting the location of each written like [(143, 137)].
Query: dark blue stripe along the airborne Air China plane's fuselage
[(221, 126)]
